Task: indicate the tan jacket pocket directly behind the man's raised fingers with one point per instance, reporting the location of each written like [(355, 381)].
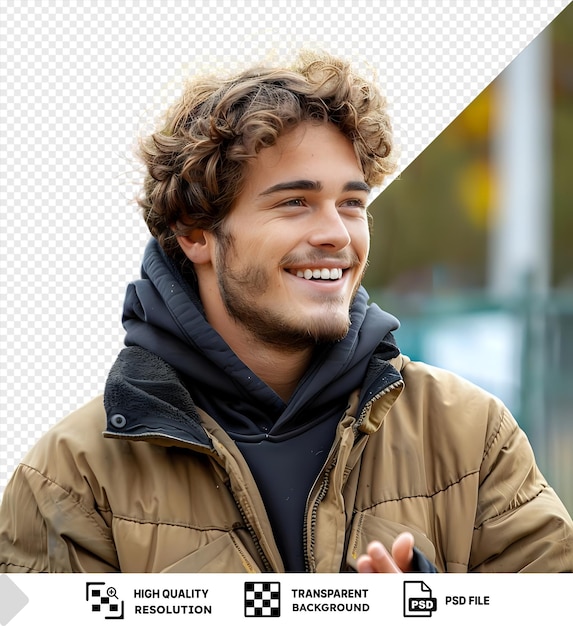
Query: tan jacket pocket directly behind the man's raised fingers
[(367, 528)]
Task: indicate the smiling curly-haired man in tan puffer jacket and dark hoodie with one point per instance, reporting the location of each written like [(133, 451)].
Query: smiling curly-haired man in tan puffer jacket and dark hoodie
[(261, 417)]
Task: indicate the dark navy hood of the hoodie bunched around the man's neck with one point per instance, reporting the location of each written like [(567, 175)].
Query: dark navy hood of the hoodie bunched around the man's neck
[(163, 314)]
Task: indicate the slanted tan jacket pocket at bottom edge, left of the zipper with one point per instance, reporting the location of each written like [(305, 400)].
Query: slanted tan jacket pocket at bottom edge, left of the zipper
[(224, 555)]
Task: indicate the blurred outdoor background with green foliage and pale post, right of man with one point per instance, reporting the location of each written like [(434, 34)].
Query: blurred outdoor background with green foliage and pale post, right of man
[(473, 247)]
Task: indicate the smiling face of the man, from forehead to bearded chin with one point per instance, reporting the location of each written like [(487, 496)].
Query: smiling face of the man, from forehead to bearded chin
[(292, 252)]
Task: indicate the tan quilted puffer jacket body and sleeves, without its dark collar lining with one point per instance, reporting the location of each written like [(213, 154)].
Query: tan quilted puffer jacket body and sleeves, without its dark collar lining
[(433, 455)]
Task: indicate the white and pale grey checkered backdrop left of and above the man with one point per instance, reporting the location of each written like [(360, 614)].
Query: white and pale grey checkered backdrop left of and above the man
[(80, 80)]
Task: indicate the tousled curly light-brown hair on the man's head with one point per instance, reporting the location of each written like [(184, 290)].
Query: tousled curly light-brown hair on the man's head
[(195, 165)]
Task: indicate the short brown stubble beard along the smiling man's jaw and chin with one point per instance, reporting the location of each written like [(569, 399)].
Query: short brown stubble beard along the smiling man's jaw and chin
[(240, 290)]
